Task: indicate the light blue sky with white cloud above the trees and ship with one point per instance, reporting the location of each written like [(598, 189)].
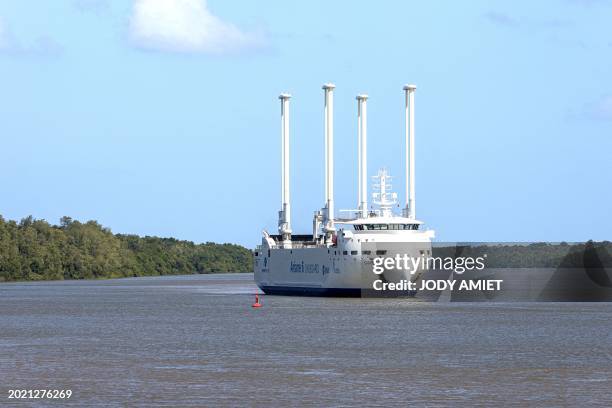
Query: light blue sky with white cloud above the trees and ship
[(161, 117)]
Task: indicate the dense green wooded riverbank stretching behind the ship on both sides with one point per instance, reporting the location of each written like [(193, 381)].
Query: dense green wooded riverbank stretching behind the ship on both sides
[(34, 250)]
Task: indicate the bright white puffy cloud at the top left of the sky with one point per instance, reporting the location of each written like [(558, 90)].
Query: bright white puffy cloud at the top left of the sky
[(186, 26)]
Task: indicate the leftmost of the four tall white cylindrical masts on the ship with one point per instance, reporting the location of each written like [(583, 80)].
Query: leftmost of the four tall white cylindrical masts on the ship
[(284, 215)]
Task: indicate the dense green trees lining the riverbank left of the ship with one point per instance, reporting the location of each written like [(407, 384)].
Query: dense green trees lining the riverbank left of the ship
[(35, 250)]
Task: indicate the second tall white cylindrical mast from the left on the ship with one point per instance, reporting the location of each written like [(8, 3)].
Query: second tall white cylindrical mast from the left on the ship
[(329, 160)]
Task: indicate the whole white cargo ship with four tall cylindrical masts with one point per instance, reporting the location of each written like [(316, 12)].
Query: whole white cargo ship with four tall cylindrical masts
[(337, 257)]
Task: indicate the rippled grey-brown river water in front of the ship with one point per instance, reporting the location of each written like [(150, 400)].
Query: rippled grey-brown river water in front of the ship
[(195, 340)]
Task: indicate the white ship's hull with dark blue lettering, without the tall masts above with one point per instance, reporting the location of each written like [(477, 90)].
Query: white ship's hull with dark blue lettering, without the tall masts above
[(342, 270)]
